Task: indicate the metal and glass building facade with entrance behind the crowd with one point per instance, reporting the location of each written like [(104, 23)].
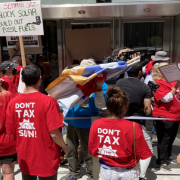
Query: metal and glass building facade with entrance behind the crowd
[(132, 23)]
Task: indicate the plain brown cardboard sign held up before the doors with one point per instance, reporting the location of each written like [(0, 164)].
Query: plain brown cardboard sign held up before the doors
[(82, 43)]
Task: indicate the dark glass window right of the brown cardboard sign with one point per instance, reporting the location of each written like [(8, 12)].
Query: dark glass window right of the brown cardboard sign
[(146, 34)]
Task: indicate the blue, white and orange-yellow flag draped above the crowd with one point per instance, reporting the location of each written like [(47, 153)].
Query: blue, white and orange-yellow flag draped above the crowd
[(71, 87)]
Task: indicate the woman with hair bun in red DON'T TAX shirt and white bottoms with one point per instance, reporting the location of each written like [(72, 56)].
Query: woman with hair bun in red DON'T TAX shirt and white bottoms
[(111, 139)]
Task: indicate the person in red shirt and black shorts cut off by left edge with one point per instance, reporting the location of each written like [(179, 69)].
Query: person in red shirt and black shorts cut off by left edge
[(8, 154)]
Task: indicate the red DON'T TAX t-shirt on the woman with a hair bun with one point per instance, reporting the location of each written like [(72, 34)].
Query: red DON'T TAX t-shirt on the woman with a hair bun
[(112, 141)]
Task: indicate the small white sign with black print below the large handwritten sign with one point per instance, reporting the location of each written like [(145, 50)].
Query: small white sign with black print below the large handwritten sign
[(29, 41)]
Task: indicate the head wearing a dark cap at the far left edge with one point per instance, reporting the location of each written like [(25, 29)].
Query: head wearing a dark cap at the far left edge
[(8, 68)]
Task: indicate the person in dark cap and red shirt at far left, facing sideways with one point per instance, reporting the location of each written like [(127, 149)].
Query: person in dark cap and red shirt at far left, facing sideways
[(8, 69)]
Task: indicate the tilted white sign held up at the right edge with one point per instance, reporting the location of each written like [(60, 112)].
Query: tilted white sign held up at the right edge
[(170, 72)]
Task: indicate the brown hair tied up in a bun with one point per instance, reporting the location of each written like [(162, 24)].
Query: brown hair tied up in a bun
[(117, 101)]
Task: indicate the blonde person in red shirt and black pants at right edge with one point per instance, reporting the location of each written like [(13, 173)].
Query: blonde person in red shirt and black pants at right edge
[(167, 105)]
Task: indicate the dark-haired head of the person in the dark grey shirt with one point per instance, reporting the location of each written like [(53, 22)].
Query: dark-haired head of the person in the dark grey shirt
[(135, 71)]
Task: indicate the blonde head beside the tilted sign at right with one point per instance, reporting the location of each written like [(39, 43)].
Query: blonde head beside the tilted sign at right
[(156, 74)]
